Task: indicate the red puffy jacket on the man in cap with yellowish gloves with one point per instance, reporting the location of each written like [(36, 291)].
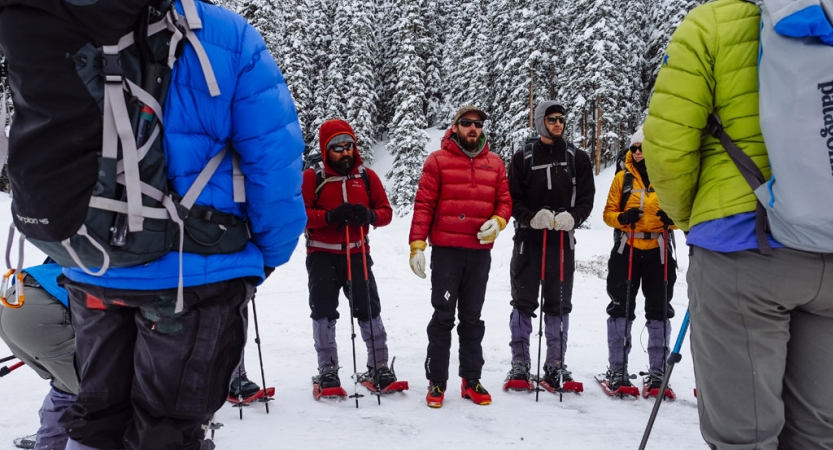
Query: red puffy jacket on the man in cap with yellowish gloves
[(457, 194)]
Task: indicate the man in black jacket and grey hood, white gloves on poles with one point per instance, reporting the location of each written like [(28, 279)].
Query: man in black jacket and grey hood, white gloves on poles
[(552, 192)]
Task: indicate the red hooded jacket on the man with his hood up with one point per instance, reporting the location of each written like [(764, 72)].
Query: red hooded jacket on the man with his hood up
[(332, 194)]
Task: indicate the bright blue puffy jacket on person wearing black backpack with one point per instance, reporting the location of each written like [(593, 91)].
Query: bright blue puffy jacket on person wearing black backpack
[(256, 114)]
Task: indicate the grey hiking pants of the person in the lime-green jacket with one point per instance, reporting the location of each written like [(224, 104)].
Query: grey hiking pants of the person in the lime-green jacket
[(762, 345)]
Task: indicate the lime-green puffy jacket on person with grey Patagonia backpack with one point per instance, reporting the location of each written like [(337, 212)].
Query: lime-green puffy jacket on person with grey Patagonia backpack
[(711, 64)]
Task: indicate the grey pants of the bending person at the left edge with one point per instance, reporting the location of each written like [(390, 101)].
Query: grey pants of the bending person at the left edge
[(40, 334)]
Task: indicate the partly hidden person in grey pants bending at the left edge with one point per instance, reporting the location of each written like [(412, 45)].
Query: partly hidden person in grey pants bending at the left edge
[(40, 334)]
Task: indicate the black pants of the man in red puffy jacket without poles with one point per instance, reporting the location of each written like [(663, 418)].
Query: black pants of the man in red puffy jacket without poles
[(458, 285)]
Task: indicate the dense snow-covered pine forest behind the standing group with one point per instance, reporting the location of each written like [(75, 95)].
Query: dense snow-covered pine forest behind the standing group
[(393, 68)]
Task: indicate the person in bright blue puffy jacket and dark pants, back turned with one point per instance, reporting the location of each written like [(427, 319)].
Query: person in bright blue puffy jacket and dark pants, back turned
[(151, 372)]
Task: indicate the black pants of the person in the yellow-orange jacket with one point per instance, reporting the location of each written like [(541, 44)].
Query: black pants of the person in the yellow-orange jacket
[(648, 272)]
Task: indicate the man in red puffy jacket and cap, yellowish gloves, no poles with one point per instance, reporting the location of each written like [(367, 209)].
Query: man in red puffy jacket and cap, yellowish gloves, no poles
[(461, 205)]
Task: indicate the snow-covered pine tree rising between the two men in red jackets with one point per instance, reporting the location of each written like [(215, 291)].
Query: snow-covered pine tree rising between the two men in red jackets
[(407, 139)]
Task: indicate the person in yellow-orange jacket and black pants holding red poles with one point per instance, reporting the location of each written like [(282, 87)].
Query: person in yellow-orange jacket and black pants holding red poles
[(633, 210)]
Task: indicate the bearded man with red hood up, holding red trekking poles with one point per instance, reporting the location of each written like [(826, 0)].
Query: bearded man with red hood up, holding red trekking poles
[(343, 198)]
